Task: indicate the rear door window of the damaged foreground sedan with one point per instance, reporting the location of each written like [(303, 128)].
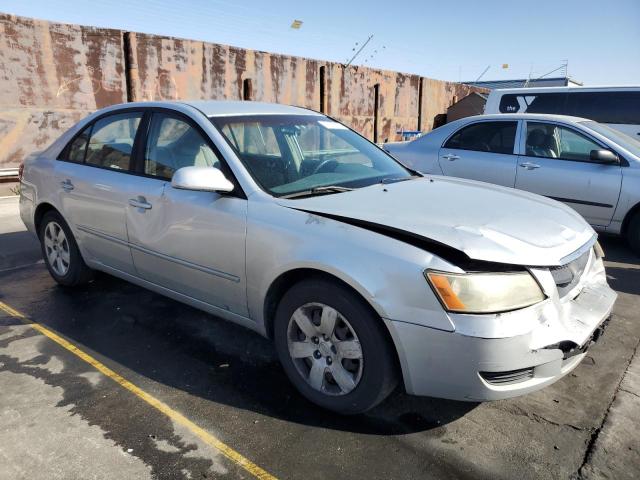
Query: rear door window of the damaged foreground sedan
[(111, 142)]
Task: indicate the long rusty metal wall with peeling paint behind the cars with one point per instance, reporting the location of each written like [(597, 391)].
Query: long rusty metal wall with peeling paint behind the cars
[(53, 74)]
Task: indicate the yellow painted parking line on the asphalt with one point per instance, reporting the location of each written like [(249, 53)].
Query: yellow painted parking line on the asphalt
[(205, 436)]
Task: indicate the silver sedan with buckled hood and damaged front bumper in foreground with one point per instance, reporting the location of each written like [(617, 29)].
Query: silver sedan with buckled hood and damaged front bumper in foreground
[(361, 271)]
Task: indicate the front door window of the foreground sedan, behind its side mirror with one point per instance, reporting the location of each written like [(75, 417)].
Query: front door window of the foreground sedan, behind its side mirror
[(173, 144)]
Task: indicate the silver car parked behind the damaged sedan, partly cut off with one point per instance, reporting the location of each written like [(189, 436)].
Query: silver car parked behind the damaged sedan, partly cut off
[(587, 165)]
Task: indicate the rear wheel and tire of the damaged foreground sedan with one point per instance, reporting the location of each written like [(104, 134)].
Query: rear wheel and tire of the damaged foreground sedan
[(60, 252)]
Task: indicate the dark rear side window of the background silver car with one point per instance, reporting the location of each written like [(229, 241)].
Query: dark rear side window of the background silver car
[(494, 137)]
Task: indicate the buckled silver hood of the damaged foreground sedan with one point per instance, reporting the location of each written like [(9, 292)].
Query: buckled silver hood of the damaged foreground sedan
[(485, 222)]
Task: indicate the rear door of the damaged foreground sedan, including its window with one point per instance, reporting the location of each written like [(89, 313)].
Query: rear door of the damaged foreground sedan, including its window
[(94, 180)]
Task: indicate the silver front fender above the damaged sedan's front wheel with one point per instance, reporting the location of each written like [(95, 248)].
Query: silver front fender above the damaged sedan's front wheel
[(387, 273)]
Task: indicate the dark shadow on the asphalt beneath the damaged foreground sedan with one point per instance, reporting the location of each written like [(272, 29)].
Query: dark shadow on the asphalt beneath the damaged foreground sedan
[(184, 348)]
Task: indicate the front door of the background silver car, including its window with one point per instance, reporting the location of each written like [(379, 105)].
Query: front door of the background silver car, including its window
[(556, 163)]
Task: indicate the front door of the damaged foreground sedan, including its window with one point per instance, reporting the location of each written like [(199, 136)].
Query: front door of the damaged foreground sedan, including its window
[(189, 242)]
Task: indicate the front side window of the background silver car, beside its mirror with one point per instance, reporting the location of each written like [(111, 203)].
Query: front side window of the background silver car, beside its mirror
[(553, 141)]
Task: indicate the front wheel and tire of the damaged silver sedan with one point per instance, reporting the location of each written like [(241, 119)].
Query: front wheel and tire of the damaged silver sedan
[(348, 385)]
